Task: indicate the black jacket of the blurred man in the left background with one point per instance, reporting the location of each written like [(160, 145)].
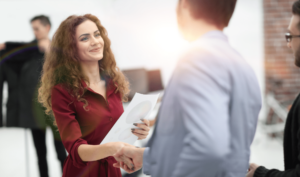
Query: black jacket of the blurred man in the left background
[(20, 67)]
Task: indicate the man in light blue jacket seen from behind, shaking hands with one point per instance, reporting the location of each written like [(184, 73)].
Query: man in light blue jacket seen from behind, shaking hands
[(210, 108)]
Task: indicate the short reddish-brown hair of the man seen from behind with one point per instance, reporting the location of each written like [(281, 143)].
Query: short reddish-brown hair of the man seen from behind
[(217, 12)]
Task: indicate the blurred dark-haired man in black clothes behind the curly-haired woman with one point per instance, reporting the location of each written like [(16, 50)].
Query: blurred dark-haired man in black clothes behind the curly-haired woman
[(21, 67)]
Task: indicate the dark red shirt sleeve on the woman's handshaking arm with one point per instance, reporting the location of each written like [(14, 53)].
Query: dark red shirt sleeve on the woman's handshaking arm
[(69, 129)]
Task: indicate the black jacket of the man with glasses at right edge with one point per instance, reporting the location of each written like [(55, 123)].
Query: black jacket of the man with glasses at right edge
[(291, 144)]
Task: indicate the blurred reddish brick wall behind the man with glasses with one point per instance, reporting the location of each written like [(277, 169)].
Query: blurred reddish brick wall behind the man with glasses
[(282, 76)]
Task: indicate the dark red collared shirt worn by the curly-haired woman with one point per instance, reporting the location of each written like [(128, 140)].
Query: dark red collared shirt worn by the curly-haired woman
[(78, 126)]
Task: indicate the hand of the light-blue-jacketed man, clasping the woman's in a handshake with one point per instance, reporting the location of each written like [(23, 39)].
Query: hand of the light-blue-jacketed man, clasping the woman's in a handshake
[(136, 154)]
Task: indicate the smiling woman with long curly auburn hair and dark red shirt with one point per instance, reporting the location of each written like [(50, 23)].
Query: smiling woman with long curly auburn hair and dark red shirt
[(84, 89)]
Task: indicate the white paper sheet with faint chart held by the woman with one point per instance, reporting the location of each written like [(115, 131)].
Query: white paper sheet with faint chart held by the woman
[(140, 107)]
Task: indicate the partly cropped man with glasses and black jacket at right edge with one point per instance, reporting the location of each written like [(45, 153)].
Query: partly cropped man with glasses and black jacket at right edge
[(292, 127)]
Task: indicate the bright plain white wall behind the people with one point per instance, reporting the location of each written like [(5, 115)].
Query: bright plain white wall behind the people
[(143, 33)]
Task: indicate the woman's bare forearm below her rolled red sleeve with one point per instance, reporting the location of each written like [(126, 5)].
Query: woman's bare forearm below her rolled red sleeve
[(94, 152)]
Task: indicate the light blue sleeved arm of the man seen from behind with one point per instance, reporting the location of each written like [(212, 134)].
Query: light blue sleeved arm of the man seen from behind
[(204, 96)]
